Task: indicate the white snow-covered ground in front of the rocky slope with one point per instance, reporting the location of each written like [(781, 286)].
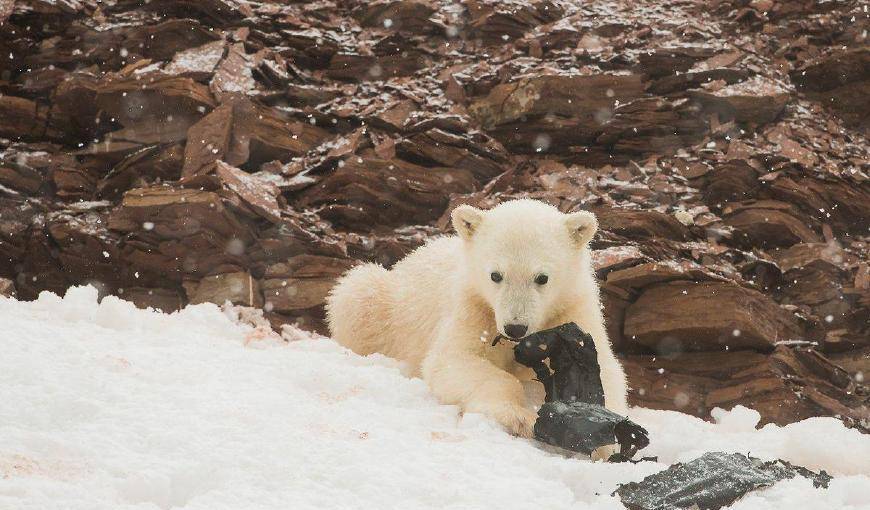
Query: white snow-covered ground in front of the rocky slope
[(106, 406)]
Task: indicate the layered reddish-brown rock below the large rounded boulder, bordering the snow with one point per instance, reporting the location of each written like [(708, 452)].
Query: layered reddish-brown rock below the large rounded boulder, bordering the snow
[(790, 385)]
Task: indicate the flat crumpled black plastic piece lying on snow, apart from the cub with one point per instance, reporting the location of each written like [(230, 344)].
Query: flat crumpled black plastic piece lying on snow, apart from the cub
[(710, 482)]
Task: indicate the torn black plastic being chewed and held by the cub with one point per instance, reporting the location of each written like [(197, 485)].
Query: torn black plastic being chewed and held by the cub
[(574, 416)]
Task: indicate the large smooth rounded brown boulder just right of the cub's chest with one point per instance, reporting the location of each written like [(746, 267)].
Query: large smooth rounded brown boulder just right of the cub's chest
[(708, 316)]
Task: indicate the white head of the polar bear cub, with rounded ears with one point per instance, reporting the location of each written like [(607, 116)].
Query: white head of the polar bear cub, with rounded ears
[(526, 259)]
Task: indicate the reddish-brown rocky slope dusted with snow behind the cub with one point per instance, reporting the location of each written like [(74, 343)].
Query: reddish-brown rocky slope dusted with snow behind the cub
[(177, 151)]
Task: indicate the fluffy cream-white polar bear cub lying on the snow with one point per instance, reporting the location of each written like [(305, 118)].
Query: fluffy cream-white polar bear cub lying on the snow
[(518, 268)]
